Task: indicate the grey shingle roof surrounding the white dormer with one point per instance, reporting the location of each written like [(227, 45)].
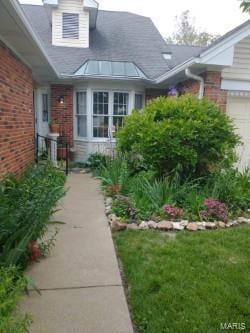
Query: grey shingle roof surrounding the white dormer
[(119, 36)]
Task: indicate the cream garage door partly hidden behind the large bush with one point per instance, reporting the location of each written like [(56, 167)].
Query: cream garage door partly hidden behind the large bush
[(238, 109)]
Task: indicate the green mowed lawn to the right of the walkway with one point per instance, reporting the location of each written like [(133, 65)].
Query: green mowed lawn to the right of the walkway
[(188, 284)]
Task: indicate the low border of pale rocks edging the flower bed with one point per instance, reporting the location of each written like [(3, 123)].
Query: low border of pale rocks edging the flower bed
[(165, 225)]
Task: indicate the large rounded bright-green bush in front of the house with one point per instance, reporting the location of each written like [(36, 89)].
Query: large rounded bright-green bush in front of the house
[(185, 134)]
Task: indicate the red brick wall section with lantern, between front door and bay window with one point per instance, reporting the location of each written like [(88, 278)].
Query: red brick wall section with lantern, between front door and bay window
[(63, 113)]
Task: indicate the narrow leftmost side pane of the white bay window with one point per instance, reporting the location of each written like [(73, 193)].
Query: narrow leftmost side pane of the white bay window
[(81, 113)]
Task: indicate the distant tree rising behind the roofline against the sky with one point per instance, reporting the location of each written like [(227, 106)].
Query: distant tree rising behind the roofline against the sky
[(187, 34)]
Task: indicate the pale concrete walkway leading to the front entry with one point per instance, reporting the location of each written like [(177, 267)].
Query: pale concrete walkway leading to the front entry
[(80, 281)]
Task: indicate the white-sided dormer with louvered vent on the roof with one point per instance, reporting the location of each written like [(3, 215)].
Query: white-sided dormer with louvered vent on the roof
[(71, 21)]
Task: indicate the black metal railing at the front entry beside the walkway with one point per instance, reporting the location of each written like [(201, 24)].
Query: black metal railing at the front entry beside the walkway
[(57, 151)]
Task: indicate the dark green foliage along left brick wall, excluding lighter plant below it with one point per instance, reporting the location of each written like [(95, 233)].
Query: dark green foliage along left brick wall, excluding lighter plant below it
[(26, 205)]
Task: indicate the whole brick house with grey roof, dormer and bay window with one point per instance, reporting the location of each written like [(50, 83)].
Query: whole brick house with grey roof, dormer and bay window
[(86, 69)]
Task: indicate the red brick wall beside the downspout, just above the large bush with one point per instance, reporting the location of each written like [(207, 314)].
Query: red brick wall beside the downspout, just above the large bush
[(212, 88)]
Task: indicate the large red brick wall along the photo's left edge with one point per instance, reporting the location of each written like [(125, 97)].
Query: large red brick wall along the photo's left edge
[(16, 114)]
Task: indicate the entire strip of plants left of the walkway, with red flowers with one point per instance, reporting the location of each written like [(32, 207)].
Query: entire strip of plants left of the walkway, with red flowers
[(26, 204)]
